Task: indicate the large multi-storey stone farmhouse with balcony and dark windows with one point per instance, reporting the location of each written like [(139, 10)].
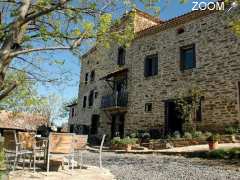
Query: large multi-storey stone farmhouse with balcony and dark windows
[(126, 89)]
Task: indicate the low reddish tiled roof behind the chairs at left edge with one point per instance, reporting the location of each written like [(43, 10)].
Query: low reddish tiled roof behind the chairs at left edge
[(21, 121)]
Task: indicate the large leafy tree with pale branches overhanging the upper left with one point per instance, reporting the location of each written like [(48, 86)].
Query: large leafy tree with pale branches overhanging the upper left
[(30, 27)]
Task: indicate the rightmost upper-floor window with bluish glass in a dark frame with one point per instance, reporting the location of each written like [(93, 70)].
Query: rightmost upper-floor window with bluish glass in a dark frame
[(188, 57)]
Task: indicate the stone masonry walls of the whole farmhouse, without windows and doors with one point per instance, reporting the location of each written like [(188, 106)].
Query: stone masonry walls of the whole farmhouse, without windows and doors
[(217, 73)]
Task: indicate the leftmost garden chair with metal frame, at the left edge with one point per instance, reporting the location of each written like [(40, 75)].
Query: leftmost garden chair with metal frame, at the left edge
[(13, 148)]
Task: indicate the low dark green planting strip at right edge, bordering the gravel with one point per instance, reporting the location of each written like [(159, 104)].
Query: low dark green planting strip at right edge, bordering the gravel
[(233, 153)]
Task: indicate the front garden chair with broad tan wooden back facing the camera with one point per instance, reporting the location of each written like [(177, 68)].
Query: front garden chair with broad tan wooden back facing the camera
[(60, 145)]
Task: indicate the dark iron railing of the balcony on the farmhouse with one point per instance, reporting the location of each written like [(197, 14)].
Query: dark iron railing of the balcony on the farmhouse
[(115, 100)]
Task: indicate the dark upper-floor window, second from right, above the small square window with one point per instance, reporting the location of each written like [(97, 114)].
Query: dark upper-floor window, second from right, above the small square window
[(151, 65)]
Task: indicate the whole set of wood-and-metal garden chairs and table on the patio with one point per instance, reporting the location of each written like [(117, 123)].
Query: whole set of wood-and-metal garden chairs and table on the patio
[(67, 148)]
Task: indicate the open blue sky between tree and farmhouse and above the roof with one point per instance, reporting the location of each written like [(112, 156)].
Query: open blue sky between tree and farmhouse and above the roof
[(68, 91)]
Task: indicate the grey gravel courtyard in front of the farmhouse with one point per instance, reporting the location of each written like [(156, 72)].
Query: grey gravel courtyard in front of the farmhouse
[(158, 167)]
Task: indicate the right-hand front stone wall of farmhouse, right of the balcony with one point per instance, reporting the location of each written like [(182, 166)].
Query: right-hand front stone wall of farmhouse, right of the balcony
[(216, 74)]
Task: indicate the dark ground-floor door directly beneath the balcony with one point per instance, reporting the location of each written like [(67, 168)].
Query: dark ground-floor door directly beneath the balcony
[(117, 126)]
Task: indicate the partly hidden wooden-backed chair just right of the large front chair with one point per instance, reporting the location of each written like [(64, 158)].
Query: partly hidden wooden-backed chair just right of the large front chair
[(80, 144)]
